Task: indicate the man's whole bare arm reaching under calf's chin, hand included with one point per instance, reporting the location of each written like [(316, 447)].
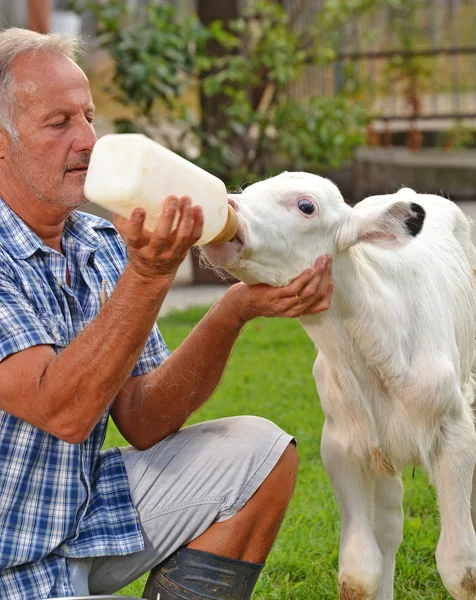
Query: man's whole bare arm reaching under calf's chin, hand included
[(152, 406)]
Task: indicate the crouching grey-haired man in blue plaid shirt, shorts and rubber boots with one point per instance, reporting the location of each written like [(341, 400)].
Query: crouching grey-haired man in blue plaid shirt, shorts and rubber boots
[(203, 504)]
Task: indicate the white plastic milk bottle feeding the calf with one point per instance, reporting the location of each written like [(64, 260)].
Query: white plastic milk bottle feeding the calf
[(130, 170)]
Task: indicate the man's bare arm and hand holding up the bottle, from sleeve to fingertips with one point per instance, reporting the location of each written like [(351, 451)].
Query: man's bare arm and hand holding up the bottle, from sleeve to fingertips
[(66, 394)]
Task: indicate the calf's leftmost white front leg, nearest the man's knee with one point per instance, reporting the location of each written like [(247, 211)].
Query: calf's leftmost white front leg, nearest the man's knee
[(360, 558)]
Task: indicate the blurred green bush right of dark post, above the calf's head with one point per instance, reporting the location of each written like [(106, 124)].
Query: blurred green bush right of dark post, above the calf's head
[(259, 131)]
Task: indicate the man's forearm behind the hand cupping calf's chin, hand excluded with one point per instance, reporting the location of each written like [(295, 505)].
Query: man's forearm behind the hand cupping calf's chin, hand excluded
[(162, 400)]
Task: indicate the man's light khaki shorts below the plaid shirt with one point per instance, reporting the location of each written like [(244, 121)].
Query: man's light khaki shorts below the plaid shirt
[(200, 475)]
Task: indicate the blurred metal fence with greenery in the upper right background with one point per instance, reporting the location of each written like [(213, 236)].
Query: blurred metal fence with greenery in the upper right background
[(421, 68)]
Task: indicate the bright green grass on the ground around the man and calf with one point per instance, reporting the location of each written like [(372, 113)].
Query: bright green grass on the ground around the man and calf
[(269, 374)]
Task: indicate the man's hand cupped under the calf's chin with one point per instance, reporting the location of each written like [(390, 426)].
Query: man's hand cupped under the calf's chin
[(308, 294)]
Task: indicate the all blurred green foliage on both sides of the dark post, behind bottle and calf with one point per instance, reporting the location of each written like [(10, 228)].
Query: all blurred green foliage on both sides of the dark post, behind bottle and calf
[(249, 127)]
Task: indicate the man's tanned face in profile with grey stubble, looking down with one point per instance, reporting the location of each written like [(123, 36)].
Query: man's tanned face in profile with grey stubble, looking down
[(53, 117)]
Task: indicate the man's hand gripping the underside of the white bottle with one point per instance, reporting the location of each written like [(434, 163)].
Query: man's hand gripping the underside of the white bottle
[(159, 254)]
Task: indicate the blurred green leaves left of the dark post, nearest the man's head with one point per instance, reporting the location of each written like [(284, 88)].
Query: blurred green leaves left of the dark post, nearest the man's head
[(153, 56)]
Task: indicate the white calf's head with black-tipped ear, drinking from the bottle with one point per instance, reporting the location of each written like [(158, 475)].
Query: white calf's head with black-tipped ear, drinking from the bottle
[(287, 221)]
